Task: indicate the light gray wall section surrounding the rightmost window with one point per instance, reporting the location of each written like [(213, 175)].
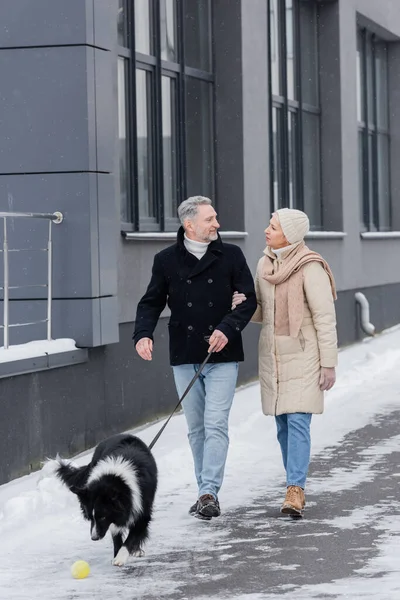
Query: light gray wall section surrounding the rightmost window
[(360, 261)]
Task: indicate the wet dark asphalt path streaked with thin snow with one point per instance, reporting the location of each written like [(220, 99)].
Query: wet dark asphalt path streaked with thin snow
[(354, 493)]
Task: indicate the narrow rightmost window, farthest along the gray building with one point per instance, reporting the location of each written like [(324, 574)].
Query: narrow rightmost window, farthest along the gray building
[(373, 131)]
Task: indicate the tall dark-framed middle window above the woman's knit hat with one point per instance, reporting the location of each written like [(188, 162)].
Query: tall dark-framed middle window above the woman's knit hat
[(295, 110)]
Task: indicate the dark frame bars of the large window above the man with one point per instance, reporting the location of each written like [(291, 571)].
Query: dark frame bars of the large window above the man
[(179, 72)]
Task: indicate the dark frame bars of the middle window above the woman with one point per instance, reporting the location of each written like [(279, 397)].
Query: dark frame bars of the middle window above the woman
[(286, 107)]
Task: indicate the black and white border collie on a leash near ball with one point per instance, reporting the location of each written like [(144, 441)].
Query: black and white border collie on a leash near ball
[(116, 491)]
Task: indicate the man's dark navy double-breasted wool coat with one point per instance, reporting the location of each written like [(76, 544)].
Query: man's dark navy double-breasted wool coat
[(199, 294)]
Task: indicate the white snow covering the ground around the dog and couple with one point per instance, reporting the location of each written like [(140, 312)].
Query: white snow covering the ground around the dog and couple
[(43, 533)]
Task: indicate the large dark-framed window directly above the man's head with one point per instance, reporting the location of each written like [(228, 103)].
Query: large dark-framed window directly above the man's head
[(165, 100)]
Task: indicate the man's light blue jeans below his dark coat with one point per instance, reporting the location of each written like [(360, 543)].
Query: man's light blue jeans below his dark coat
[(207, 408)]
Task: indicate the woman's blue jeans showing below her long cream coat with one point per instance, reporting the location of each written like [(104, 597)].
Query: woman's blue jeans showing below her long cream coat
[(295, 441)]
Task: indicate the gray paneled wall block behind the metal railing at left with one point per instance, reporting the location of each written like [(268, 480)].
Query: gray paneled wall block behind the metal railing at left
[(57, 152)]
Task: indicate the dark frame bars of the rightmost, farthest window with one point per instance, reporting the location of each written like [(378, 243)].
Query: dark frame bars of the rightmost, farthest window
[(370, 130)]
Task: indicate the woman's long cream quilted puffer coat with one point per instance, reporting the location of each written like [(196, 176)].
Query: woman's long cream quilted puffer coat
[(289, 368)]
